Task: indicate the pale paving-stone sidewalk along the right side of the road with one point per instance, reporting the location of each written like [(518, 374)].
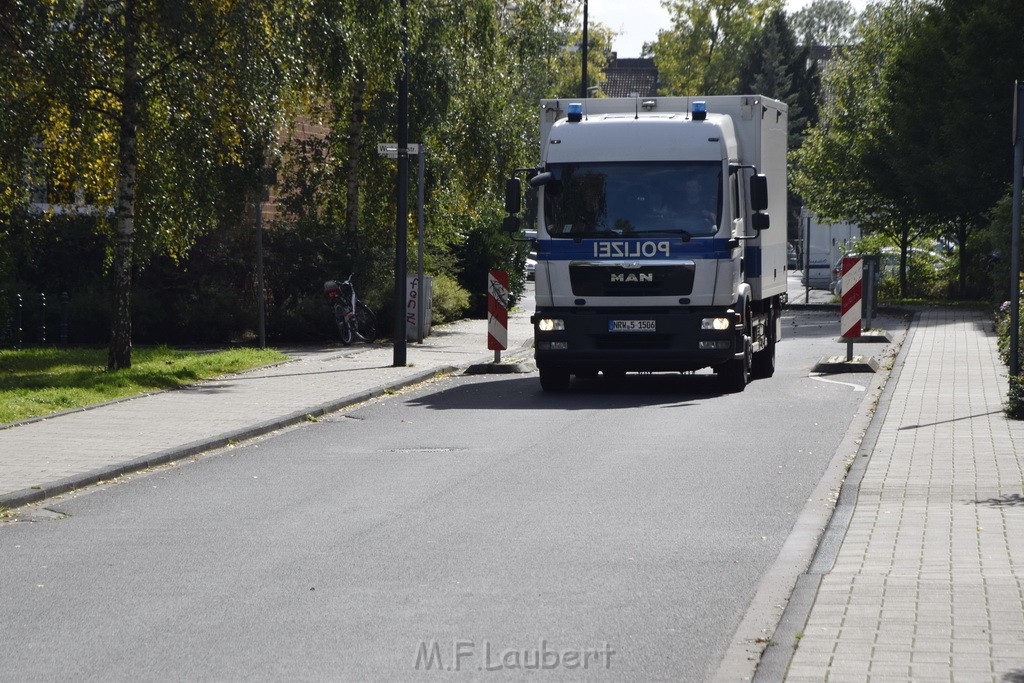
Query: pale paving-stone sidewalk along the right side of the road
[(928, 584)]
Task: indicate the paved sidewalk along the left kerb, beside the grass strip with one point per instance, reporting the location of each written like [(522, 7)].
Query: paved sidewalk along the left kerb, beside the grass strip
[(51, 457)]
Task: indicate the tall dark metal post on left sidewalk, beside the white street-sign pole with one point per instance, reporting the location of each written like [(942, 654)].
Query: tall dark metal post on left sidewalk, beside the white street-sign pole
[(402, 221)]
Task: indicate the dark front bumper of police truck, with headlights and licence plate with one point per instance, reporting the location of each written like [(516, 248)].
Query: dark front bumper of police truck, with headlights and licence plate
[(638, 340)]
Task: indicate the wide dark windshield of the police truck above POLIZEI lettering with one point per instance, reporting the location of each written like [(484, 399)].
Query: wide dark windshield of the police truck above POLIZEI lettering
[(633, 198)]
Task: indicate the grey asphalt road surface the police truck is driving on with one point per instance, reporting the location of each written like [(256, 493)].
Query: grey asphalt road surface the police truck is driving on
[(476, 525)]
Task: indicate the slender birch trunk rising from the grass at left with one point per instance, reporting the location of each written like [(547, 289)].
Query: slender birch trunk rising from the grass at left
[(119, 357)]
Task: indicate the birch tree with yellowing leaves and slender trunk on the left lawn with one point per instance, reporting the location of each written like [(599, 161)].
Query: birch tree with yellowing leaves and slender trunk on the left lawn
[(147, 112)]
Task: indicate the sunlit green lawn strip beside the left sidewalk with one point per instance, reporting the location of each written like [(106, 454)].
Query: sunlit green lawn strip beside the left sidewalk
[(35, 382)]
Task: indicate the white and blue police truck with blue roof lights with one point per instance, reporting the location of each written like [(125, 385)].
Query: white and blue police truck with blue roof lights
[(654, 248)]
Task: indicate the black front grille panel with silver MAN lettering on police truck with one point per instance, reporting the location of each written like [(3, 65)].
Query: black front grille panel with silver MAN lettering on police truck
[(632, 279)]
